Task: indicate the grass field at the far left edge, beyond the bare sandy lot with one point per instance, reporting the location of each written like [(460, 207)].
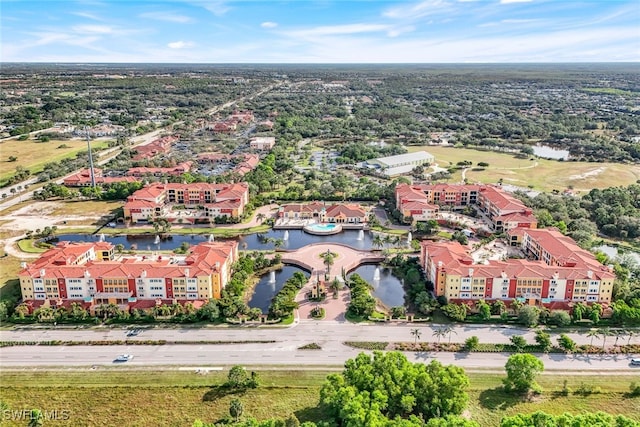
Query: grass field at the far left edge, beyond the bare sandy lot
[(33, 155)]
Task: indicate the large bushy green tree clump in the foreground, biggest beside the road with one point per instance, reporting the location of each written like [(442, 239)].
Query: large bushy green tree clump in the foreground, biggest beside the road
[(368, 392)]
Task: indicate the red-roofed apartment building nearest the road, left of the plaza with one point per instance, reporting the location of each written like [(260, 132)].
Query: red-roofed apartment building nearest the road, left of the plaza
[(90, 273)]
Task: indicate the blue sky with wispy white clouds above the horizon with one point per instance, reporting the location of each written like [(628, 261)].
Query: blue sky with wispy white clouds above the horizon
[(320, 31)]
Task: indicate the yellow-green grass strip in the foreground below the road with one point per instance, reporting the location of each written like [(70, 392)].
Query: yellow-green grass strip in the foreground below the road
[(152, 397)]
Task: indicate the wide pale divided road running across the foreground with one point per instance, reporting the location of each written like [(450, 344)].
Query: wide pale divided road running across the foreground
[(284, 351)]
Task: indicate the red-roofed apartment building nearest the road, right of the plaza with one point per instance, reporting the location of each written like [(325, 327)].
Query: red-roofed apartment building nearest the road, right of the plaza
[(456, 277)]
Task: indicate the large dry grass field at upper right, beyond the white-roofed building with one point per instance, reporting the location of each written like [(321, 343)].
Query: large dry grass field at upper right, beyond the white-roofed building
[(542, 174)]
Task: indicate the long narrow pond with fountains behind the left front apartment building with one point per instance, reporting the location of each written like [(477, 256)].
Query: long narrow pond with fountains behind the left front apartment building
[(295, 240)]
